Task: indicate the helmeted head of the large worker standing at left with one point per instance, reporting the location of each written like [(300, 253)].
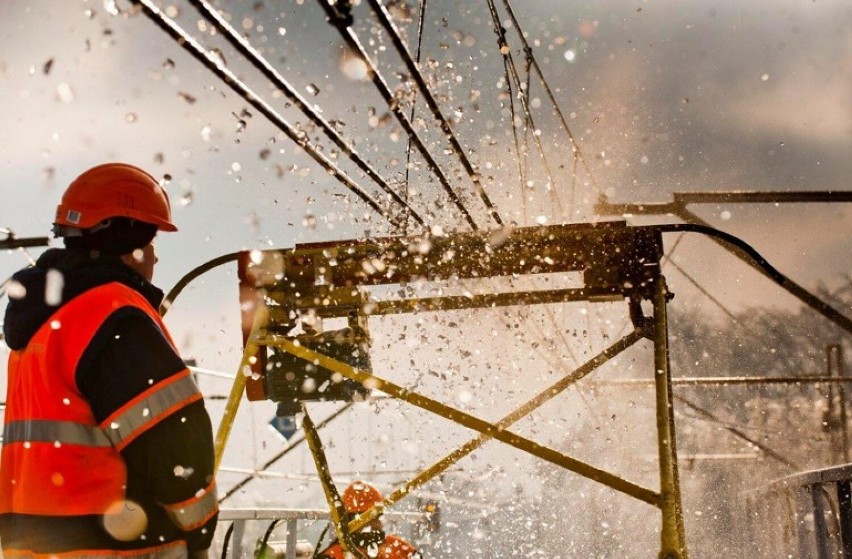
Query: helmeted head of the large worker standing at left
[(116, 209)]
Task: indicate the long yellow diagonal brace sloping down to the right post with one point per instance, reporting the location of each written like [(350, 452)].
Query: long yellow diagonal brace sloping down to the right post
[(467, 420)]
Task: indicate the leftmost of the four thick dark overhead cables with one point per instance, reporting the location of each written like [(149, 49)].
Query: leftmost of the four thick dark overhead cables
[(213, 64)]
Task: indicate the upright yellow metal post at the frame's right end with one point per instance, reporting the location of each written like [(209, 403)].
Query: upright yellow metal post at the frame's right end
[(672, 535)]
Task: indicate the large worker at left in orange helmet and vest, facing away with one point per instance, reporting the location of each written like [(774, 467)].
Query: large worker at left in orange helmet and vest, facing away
[(107, 447)]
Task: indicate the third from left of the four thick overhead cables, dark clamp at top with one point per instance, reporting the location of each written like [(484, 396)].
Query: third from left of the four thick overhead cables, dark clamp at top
[(342, 22)]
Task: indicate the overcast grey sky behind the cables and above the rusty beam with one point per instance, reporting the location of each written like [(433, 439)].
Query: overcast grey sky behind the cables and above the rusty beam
[(661, 97)]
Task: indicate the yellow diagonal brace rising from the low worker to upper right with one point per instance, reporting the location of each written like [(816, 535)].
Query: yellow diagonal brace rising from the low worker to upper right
[(533, 404)]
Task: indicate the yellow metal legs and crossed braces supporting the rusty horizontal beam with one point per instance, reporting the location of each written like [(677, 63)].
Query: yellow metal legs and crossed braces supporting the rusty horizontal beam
[(673, 542)]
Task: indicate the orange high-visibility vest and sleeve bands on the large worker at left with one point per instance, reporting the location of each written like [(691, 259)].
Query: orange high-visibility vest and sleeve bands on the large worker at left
[(57, 460)]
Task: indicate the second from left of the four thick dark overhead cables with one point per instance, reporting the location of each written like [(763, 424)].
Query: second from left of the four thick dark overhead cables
[(258, 61)]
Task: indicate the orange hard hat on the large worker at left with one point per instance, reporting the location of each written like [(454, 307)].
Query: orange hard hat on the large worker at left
[(114, 190)]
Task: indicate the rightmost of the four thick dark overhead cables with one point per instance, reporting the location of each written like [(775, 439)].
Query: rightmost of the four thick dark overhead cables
[(386, 21)]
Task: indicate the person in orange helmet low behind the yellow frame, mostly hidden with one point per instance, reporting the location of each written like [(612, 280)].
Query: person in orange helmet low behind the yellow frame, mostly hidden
[(371, 541)]
